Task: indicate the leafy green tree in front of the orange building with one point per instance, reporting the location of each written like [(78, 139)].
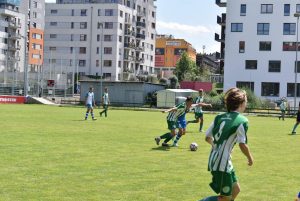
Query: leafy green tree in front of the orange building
[(185, 65)]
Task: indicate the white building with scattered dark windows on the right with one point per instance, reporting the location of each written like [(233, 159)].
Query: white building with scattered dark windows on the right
[(260, 50)]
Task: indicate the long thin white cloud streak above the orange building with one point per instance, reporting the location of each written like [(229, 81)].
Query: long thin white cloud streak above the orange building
[(193, 30)]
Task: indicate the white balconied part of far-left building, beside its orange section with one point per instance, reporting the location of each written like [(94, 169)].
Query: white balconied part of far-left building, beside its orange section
[(12, 41)]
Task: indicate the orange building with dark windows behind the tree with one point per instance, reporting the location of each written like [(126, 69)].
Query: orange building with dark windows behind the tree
[(168, 51)]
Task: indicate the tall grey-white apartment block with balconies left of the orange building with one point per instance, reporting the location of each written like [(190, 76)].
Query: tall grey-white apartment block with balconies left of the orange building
[(116, 36)]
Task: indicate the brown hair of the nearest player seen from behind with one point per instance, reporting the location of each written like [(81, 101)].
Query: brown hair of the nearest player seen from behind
[(233, 98)]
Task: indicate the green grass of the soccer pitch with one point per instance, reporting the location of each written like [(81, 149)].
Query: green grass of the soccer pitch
[(50, 153)]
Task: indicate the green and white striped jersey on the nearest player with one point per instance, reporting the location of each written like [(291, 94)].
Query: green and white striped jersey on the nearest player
[(226, 130)]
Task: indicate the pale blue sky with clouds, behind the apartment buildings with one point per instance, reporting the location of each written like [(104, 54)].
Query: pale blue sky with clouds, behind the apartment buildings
[(193, 20)]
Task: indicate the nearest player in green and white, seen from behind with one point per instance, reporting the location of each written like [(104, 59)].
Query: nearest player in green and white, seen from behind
[(226, 130)]
